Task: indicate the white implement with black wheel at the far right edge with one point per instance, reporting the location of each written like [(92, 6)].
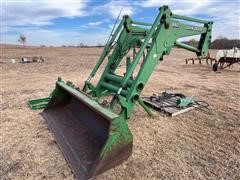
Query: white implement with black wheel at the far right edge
[(226, 58)]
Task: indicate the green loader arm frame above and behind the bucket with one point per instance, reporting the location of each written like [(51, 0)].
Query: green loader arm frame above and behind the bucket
[(156, 40)]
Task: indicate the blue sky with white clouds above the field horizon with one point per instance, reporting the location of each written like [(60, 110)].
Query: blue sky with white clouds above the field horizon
[(71, 22)]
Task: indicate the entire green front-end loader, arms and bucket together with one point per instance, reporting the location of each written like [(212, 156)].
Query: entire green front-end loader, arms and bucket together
[(94, 135)]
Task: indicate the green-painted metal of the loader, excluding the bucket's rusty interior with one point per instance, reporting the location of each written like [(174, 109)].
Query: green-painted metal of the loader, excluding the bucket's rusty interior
[(153, 40)]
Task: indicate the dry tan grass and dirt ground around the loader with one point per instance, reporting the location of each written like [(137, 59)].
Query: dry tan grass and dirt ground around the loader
[(194, 145)]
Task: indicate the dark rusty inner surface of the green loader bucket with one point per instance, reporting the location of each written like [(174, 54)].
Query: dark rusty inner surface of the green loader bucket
[(79, 132)]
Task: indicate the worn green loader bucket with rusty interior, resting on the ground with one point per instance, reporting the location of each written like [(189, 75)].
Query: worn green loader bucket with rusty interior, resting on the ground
[(92, 138)]
